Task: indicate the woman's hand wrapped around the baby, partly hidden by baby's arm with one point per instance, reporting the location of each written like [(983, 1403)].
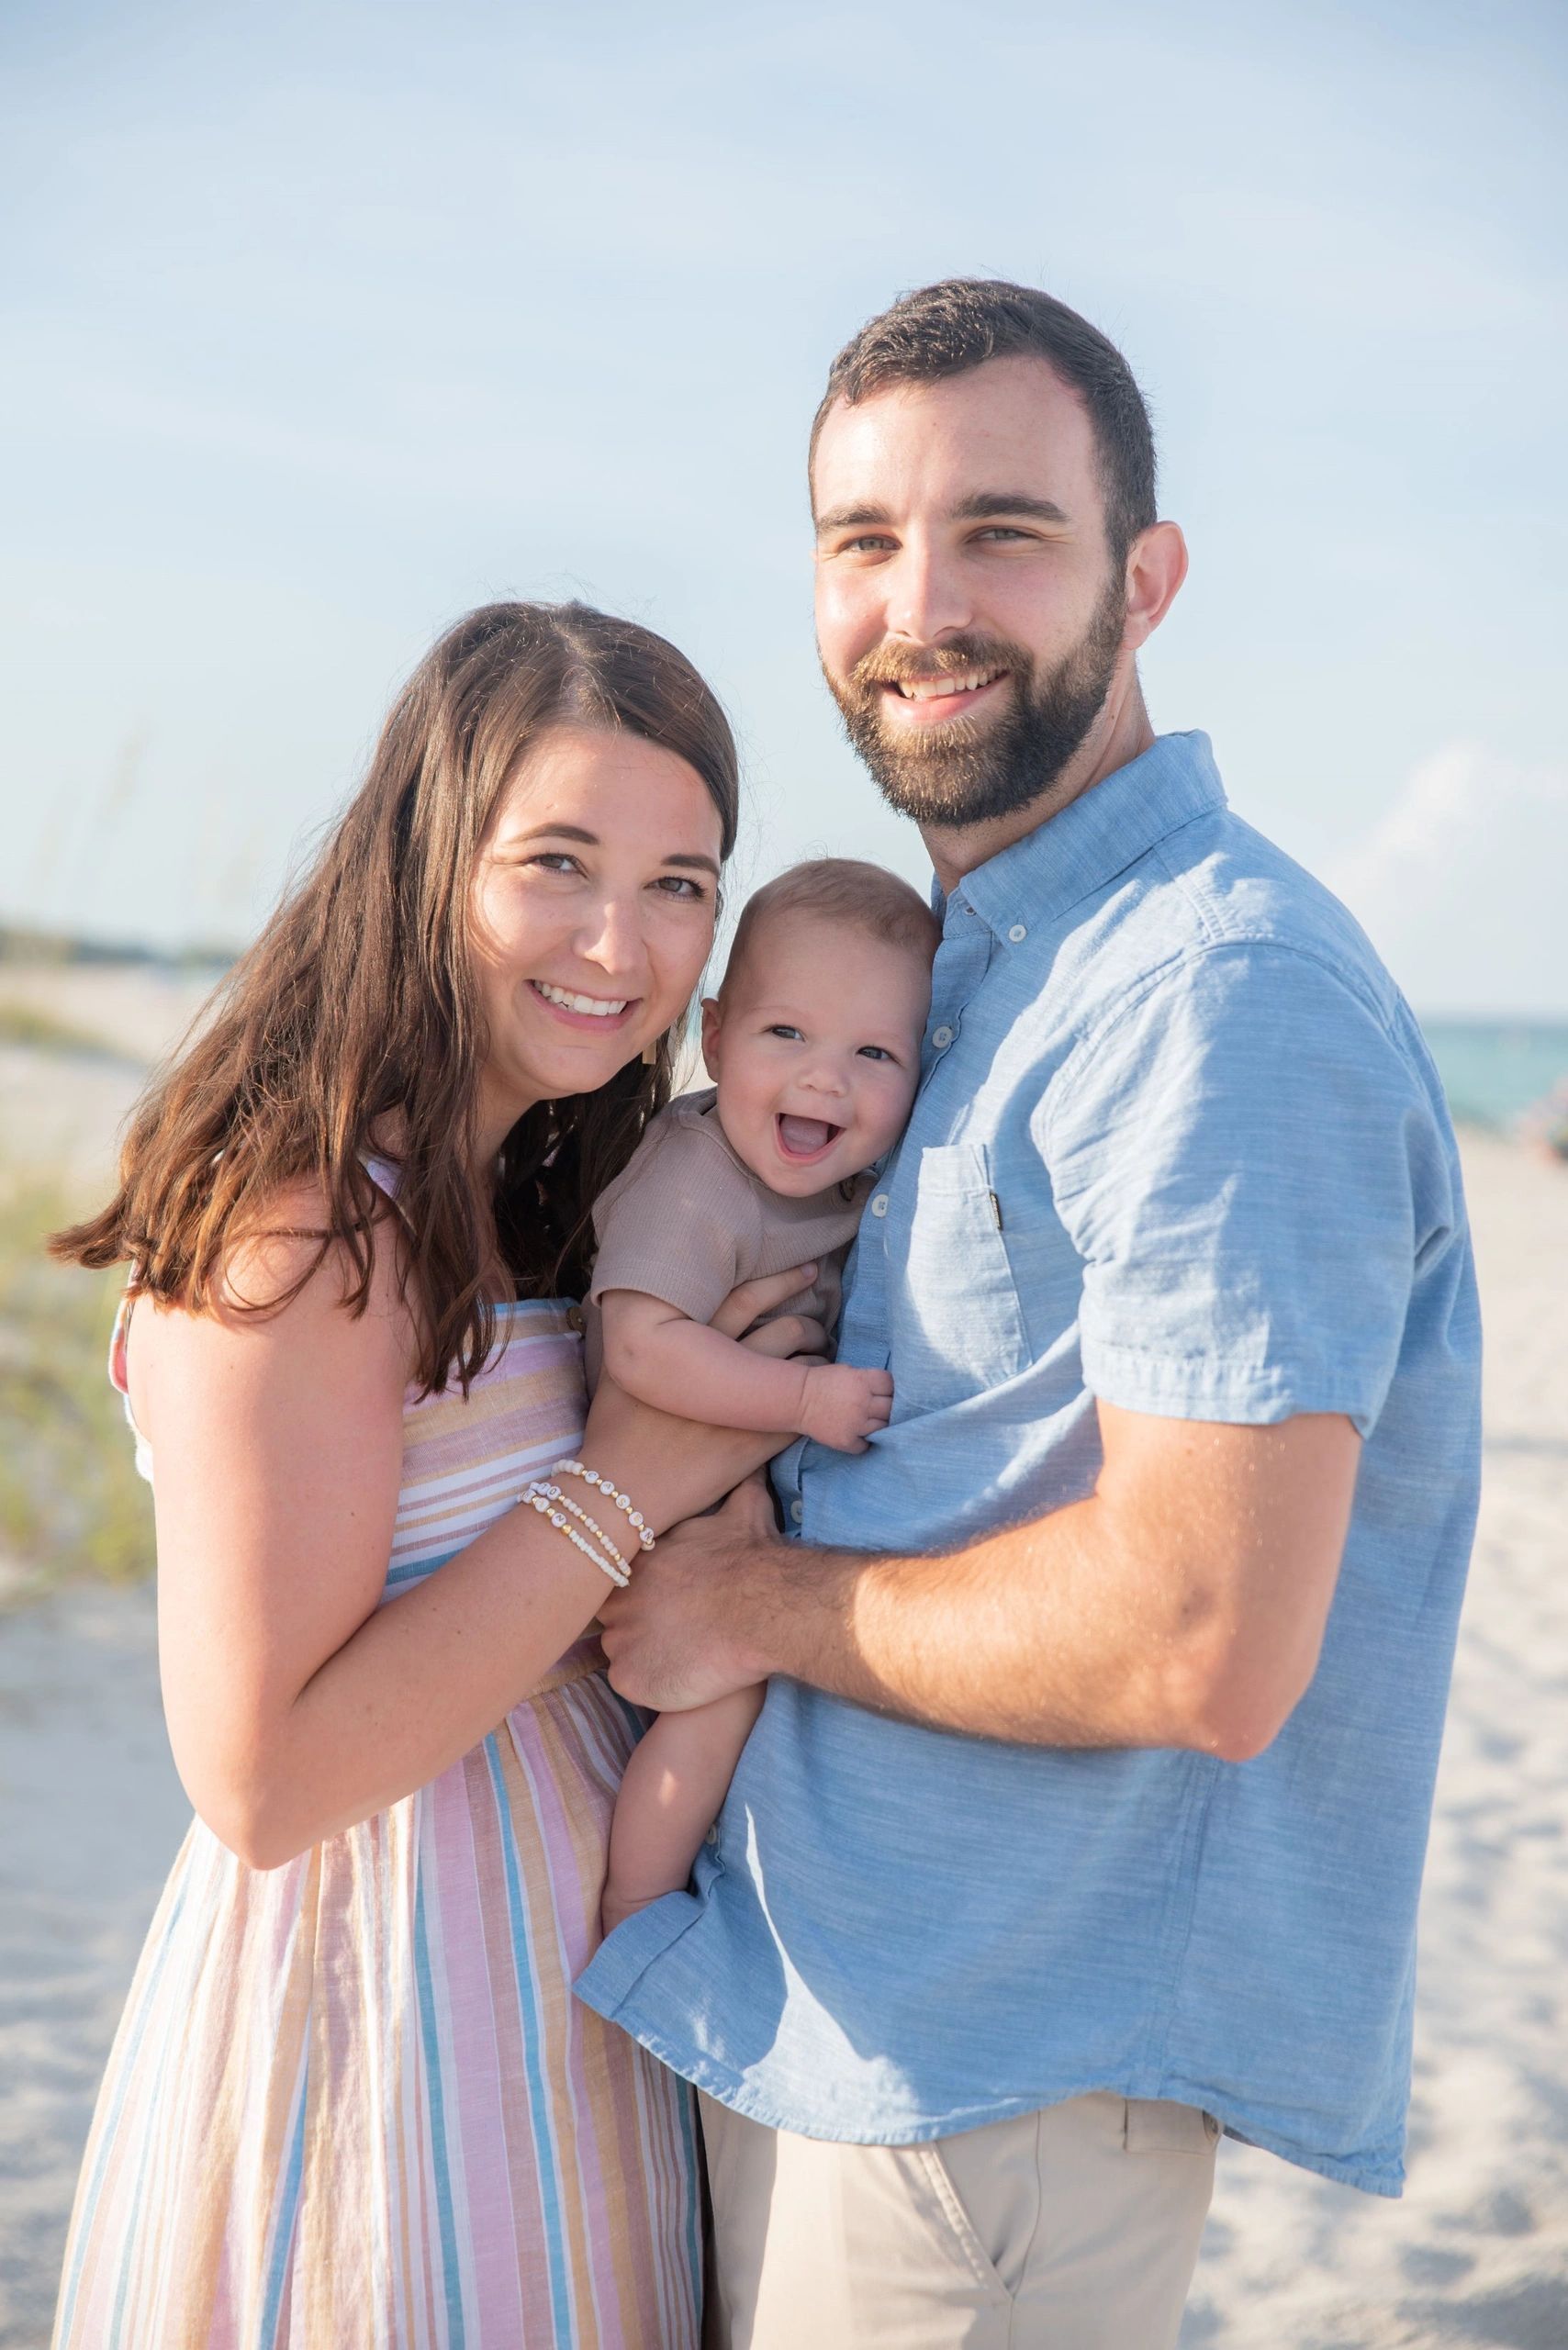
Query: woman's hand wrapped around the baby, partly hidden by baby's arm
[(681, 1468)]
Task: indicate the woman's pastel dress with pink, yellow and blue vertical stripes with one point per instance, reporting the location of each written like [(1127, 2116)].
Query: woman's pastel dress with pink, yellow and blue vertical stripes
[(354, 2104)]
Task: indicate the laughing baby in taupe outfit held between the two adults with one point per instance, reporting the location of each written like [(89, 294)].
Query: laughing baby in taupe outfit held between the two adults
[(815, 1049)]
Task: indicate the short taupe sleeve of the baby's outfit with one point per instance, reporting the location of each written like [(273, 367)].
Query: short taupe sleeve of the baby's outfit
[(676, 1226)]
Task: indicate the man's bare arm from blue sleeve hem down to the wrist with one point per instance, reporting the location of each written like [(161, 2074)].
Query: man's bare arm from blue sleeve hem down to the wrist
[(1181, 1604)]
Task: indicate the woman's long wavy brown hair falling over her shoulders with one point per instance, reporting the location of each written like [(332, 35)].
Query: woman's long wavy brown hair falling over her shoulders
[(359, 1005)]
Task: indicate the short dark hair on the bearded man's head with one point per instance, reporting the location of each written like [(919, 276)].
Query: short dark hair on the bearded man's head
[(967, 321)]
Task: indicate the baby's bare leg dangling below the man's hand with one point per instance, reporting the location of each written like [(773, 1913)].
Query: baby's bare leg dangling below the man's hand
[(671, 1797)]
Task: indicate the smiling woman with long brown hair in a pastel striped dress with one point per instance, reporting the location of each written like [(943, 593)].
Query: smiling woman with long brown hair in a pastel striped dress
[(351, 2100)]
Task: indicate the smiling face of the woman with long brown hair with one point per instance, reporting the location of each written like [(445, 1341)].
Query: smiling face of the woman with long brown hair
[(594, 908)]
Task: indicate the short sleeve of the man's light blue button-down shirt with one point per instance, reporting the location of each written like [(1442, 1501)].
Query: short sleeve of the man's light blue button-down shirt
[(1235, 1160)]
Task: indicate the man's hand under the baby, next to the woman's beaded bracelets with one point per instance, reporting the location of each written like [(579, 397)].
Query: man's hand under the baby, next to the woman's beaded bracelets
[(681, 1634)]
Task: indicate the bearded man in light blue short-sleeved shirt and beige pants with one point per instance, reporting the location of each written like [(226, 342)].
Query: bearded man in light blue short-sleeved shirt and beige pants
[(1087, 1811)]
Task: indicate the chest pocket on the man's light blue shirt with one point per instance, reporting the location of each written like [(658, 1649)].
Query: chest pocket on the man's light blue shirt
[(956, 1322)]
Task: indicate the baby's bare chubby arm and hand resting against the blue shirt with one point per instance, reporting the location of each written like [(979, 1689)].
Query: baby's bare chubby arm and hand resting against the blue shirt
[(662, 1357)]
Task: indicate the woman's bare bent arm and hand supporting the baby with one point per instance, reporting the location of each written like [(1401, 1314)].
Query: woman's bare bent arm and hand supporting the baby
[(297, 1705)]
